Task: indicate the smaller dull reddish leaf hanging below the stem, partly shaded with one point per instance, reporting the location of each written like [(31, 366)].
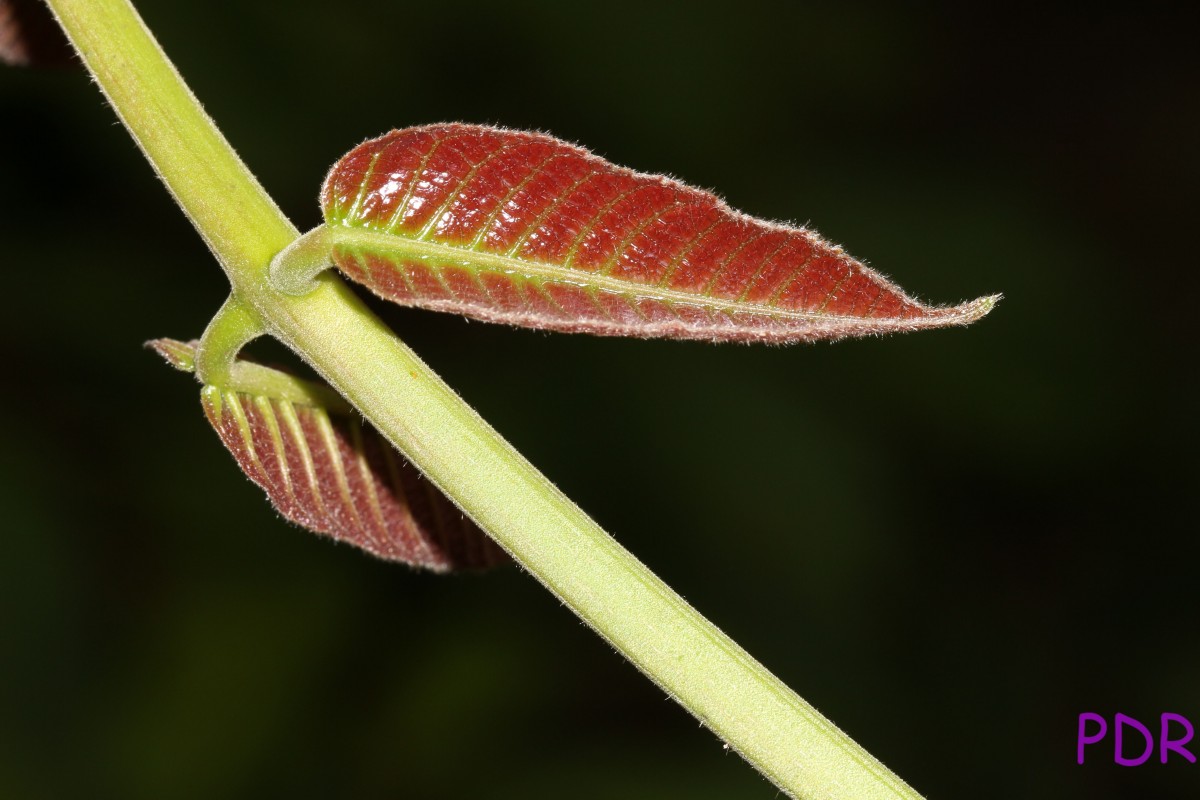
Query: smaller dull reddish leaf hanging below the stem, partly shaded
[(327, 471)]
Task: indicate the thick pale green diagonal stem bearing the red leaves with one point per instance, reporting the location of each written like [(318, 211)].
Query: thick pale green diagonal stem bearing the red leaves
[(677, 648)]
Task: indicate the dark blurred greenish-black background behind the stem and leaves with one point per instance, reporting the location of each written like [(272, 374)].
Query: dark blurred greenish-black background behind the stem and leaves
[(951, 543)]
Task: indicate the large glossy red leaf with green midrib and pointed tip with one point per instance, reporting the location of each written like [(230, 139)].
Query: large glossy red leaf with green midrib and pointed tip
[(523, 228)]
